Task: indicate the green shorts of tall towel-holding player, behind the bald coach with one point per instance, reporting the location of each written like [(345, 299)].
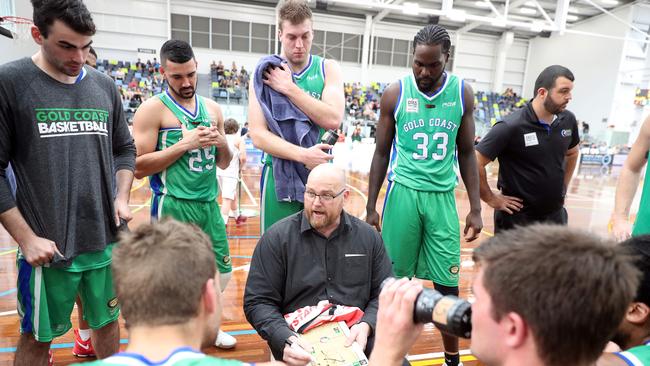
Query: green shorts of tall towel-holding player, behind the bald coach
[(273, 210)]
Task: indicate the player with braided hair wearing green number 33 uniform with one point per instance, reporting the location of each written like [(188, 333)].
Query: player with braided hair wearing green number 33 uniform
[(426, 116)]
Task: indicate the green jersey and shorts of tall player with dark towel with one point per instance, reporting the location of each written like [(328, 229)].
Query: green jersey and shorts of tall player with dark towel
[(312, 80)]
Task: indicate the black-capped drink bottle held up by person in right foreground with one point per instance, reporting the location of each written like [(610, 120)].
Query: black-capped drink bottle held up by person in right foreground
[(450, 314)]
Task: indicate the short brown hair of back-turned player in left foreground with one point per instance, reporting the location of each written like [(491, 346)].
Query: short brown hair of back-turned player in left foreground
[(159, 272)]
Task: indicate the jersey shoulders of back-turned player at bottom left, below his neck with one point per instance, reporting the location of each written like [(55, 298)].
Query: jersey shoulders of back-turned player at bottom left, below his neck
[(181, 357)]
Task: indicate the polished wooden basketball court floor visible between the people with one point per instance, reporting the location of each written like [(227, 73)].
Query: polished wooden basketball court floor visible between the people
[(590, 202)]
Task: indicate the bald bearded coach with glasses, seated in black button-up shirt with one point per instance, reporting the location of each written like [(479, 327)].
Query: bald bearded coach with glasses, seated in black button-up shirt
[(320, 253)]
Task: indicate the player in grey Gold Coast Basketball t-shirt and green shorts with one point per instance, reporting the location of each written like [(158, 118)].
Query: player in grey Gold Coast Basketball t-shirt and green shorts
[(63, 130)]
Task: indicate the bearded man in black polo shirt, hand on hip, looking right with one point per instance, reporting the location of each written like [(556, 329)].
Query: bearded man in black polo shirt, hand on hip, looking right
[(537, 148)]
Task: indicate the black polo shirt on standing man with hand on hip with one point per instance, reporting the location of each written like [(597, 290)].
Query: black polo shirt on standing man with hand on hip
[(531, 157)]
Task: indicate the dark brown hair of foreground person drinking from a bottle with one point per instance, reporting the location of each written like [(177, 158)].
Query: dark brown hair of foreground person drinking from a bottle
[(571, 287)]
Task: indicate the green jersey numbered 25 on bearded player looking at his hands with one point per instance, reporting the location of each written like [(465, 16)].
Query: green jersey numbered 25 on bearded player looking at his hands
[(193, 176)]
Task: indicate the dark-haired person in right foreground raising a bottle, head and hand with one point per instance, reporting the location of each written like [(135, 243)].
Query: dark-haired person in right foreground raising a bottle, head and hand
[(560, 308)]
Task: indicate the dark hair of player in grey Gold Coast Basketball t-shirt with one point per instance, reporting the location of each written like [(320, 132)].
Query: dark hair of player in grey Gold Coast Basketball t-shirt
[(71, 12)]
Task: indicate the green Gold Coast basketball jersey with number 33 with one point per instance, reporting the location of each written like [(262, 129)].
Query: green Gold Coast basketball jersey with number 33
[(425, 135)]
